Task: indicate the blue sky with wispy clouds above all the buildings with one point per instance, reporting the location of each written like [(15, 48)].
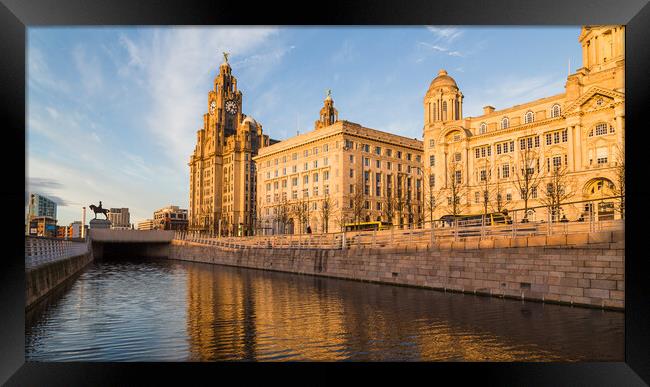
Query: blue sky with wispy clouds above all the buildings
[(112, 113)]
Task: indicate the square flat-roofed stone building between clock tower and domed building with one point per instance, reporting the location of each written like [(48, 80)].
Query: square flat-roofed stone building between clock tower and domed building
[(340, 172)]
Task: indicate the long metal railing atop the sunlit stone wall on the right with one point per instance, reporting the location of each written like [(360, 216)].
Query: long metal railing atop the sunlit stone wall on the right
[(516, 225)]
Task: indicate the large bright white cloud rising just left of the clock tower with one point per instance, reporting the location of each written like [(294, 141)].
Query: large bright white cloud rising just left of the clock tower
[(178, 61)]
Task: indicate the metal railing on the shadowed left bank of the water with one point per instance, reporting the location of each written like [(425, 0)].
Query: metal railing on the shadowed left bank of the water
[(42, 250)]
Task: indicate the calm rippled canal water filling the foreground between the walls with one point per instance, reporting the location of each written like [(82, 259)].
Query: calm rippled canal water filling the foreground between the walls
[(181, 311)]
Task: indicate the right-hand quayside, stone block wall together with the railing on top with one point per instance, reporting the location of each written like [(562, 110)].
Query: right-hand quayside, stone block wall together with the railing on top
[(569, 263)]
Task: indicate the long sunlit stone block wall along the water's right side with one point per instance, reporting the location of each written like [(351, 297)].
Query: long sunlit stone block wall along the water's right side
[(579, 269)]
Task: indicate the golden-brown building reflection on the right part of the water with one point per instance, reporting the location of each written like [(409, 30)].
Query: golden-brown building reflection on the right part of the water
[(243, 314)]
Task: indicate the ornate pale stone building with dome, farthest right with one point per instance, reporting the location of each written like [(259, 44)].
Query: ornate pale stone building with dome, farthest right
[(566, 146)]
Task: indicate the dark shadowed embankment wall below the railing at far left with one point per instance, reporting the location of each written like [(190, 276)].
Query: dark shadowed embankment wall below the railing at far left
[(41, 280)]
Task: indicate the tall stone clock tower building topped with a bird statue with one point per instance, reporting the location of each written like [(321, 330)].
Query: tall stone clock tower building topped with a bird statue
[(222, 170)]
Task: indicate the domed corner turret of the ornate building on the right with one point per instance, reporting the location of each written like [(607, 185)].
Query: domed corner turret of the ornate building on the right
[(443, 101)]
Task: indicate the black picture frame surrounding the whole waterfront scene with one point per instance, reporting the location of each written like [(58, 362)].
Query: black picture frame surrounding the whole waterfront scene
[(17, 15)]
